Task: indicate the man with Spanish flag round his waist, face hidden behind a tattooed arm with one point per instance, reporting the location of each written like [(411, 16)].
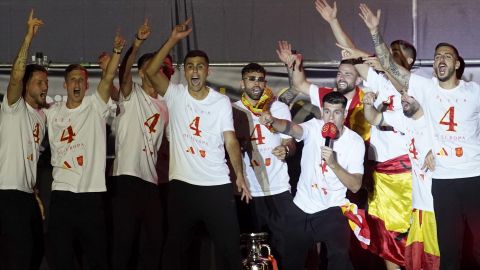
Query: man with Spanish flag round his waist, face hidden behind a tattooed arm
[(390, 204)]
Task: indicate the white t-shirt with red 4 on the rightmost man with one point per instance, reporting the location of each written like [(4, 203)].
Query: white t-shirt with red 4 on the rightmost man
[(454, 116)]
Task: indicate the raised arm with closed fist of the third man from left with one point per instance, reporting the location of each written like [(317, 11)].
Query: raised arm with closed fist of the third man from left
[(125, 72)]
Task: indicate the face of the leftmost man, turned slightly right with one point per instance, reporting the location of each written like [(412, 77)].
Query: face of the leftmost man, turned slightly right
[(36, 89)]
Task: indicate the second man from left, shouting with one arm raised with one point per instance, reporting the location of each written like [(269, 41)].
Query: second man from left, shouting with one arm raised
[(76, 130)]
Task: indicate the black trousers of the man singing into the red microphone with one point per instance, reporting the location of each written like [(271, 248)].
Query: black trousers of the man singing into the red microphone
[(303, 230)]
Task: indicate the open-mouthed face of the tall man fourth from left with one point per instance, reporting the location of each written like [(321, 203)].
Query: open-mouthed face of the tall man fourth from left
[(196, 73)]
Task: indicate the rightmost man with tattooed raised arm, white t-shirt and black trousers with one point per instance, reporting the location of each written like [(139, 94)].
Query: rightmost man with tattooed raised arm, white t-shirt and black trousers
[(453, 110)]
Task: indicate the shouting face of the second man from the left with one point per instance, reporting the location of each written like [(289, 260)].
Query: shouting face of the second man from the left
[(76, 84)]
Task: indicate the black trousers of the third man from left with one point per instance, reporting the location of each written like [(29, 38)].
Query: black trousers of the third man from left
[(137, 216)]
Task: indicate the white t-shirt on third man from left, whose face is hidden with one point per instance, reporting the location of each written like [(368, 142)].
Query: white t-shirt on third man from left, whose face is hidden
[(139, 131)]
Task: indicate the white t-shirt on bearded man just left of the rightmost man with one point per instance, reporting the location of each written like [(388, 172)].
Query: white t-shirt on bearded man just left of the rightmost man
[(419, 143)]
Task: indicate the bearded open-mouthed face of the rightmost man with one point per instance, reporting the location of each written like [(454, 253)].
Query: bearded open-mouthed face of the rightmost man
[(445, 63)]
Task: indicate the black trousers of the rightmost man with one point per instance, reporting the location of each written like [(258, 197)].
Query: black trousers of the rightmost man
[(457, 212)]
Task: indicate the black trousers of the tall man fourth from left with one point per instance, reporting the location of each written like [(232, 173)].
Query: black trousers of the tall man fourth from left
[(215, 206)]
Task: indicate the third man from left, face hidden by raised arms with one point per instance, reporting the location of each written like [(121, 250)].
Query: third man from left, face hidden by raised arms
[(139, 130)]
